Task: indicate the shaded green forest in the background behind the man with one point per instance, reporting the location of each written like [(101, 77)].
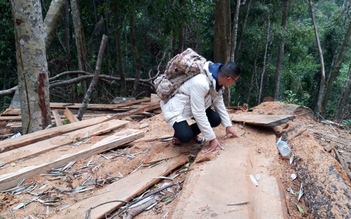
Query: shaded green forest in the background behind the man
[(271, 37)]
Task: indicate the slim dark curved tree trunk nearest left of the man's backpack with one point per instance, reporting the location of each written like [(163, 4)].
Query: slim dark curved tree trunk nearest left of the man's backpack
[(136, 56)]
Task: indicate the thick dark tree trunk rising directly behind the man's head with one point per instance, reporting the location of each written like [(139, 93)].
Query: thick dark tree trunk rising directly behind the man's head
[(222, 37)]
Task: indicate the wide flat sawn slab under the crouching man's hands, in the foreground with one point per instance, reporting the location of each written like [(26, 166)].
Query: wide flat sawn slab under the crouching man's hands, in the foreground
[(211, 186)]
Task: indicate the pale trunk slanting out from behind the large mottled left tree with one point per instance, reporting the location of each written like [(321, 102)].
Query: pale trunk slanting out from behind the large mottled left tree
[(52, 19)]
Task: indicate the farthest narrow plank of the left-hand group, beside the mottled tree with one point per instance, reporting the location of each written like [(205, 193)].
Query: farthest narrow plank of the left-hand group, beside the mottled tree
[(13, 143)]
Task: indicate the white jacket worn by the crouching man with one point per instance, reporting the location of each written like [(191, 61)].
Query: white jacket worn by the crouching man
[(193, 98)]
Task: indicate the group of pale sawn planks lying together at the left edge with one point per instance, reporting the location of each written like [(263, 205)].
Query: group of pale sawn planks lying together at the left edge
[(28, 146)]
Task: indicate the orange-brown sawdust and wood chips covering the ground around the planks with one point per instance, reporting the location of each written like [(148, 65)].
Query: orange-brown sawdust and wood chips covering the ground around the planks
[(326, 184)]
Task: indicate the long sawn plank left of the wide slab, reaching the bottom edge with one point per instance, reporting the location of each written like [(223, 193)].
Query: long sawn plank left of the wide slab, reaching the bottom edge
[(125, 190)]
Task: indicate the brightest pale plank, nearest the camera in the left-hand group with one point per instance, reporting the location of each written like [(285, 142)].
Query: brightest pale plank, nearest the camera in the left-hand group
[(11, 179)]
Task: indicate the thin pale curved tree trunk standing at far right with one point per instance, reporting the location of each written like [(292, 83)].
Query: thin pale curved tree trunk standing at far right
[(322, 82)]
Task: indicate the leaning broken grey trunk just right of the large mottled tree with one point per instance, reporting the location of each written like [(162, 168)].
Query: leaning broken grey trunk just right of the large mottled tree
[(84, 106)]
